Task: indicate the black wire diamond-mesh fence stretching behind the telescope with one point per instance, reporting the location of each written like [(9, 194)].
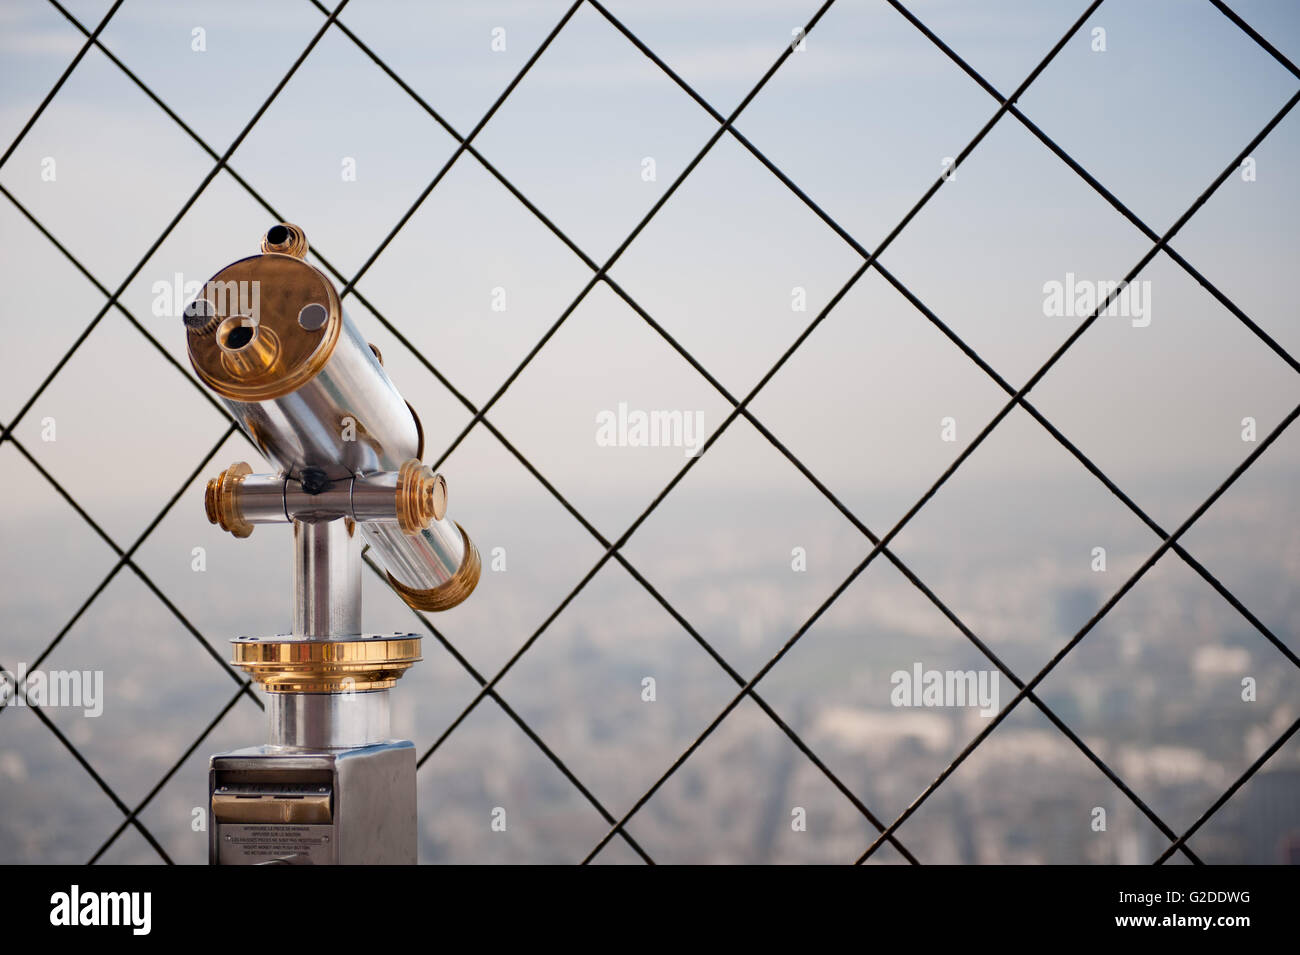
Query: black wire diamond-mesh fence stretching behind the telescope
[(740, 407)]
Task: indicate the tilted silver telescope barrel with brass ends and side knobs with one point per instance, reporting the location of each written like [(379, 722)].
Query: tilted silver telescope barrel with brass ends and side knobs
[(271, 338)]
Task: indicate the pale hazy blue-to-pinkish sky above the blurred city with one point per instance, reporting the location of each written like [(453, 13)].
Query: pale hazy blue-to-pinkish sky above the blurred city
[(861, 120)]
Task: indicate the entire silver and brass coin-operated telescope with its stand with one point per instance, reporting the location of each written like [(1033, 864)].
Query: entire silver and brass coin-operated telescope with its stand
[(268, 335)]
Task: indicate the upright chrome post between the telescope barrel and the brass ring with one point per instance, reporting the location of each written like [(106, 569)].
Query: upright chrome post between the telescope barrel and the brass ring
[(327, 580)]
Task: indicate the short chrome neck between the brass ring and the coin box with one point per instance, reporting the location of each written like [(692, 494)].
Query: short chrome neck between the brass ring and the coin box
[(327, 720)]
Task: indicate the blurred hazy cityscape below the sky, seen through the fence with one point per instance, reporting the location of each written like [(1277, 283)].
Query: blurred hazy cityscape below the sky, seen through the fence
[(1155, 691)]
